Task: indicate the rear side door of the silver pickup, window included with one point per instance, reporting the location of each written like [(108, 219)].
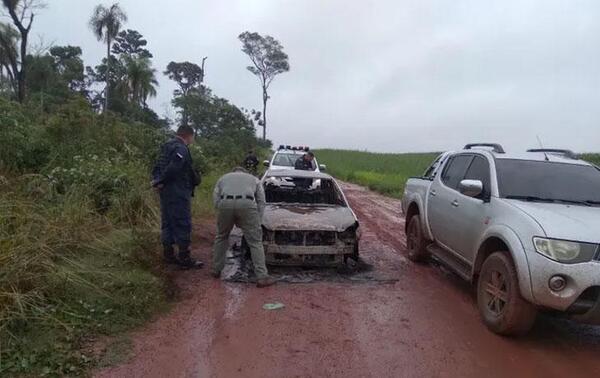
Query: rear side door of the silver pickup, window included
[(440, 210)]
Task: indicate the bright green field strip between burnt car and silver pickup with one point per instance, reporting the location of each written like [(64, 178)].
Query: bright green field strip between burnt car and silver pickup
[(385, 173)]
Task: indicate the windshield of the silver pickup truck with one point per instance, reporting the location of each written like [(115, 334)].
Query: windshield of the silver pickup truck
[(548, 181)]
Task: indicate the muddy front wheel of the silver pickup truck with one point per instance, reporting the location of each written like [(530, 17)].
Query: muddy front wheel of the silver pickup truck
[(501, 306)]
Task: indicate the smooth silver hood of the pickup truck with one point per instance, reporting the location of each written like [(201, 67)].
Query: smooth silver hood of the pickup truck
[(560, 221)]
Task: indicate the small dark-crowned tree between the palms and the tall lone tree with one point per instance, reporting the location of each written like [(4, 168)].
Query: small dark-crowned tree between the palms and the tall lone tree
[(189, 78)]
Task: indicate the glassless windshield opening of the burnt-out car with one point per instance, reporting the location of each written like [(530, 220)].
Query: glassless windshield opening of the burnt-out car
[(303, 191)]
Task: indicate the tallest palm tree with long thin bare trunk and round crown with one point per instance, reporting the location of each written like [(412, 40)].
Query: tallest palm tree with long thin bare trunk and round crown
[(106, 23)]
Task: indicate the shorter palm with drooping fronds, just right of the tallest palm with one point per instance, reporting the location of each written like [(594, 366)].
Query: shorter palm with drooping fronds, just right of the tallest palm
[(141, 79)]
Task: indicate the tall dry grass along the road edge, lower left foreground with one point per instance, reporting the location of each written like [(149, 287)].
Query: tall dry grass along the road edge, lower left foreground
[(68, 270)]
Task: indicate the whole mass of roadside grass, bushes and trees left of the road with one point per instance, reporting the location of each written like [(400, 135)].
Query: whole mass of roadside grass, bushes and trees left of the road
[(79, 223)]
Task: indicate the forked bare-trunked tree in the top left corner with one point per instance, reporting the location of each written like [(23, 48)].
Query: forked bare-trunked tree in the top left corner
[(22, 13)]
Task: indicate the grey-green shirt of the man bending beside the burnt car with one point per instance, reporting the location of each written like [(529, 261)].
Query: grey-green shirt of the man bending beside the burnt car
[(239, 184)]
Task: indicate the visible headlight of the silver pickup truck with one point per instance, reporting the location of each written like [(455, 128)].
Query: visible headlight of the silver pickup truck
[(564, 251)]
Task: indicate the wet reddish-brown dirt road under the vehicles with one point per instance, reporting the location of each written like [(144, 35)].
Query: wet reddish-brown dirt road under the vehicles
[(423, 323)]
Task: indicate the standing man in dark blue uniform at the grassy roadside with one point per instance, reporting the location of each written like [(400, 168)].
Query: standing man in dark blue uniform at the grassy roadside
[(174, 178)]
